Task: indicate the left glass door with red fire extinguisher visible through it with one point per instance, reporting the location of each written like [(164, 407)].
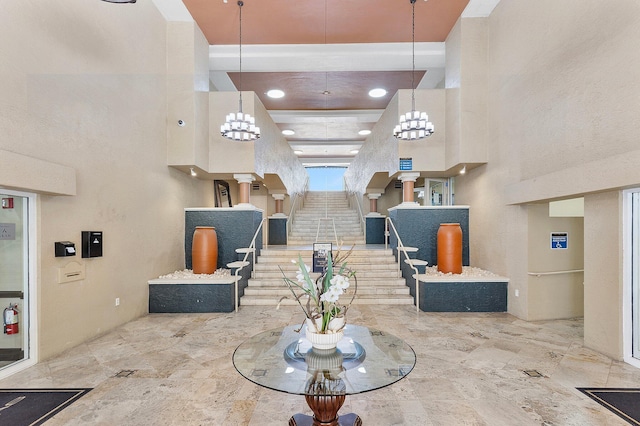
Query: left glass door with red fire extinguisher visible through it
[(14, 278)]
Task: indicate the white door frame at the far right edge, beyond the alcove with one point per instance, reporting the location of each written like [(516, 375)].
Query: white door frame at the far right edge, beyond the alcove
[(630, 263)]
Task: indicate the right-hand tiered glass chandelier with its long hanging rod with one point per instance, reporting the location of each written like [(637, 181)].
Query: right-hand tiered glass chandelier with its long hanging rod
[(413, 124)]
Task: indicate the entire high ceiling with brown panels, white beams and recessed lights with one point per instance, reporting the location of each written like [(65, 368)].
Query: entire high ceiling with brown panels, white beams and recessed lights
[(326, 55)]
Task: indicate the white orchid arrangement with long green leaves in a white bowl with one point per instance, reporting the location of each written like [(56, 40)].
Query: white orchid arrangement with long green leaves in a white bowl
[(322, 308)]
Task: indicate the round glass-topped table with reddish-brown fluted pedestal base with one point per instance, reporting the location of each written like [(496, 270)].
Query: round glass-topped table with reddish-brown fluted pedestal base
[(364, 360)]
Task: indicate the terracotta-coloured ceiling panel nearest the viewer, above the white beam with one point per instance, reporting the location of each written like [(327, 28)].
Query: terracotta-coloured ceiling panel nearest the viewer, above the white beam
[(321, 22)]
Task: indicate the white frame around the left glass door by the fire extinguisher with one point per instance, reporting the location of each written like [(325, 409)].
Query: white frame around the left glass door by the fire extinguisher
[(29, 312)]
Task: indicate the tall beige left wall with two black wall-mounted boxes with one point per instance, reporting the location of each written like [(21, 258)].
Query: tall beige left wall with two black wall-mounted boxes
[(84, 86)]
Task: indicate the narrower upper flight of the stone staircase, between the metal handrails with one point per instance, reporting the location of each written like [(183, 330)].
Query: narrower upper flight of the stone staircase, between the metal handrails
[(321, 210)]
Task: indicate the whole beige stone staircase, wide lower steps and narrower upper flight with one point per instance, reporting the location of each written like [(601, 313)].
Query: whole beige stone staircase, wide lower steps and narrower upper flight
[(376, 268)]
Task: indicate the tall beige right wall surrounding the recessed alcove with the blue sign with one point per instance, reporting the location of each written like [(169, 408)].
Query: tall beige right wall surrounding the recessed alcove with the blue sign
[(561, 124)]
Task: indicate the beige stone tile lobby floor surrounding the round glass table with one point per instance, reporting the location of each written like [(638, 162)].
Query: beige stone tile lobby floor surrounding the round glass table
[(470, 371)]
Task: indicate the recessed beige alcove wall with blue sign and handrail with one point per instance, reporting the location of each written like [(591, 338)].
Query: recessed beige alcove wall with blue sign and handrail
[(554, 296)]
